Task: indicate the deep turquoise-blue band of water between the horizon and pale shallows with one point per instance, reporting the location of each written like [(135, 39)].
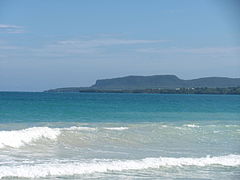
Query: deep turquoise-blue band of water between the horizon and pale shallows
[(96, 107)]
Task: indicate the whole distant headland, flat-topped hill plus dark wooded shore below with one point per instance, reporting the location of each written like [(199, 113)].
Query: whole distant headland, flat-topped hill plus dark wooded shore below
[(160, 84)]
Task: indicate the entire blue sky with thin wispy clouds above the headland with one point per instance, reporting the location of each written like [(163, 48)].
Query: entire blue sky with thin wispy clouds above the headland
[(47, 44)]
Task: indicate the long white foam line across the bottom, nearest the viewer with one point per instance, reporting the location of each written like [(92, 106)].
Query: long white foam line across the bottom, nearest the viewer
[(74, 168)]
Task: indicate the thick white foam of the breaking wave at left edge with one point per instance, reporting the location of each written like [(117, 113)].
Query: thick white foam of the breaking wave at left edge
[(19, 138)]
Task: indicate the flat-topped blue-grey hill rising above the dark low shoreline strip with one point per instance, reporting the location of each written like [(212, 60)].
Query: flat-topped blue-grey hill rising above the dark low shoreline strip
[(156, 82)]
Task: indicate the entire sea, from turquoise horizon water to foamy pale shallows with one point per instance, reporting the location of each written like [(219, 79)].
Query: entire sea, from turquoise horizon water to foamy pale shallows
[(119, 136)]
